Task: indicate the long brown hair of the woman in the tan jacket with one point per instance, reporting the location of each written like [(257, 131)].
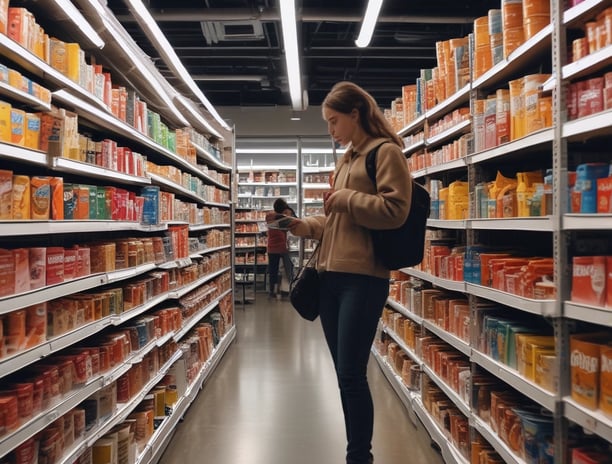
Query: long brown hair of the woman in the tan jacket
[(346, 96)]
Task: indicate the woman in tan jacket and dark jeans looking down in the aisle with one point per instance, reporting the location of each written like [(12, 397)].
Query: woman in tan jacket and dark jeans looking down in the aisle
[(354, 283)]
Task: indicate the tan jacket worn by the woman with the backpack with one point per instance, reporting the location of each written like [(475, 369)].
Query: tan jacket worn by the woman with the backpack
[(346, 244)]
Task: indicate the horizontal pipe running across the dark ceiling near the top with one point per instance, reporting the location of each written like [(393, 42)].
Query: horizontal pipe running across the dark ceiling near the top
[(242, 14)]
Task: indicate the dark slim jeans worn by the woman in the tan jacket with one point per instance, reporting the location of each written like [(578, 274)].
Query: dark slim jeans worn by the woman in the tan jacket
[(350, 308)]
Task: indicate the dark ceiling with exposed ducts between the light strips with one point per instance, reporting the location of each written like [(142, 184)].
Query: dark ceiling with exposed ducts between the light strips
[(233, 48)]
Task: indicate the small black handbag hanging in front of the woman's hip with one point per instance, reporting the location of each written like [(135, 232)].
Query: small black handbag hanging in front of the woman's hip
[(304, 289)]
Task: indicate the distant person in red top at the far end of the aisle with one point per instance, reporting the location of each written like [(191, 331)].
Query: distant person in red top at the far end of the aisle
[(277, 247)]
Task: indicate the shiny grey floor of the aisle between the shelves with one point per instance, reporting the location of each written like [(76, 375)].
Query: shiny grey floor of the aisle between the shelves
[(274, 400)]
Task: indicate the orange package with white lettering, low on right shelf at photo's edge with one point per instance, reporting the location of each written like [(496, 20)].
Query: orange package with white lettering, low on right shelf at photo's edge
[(585, 353)]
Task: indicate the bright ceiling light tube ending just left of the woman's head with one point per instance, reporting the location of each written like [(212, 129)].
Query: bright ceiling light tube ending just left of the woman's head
[(292, 56)]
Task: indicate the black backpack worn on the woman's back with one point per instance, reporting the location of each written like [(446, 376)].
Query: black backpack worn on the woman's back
[(404, 246)]
